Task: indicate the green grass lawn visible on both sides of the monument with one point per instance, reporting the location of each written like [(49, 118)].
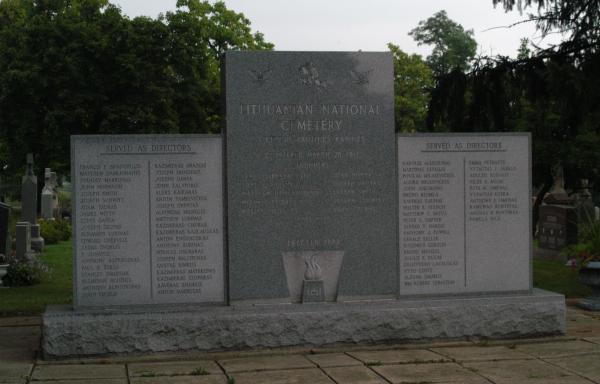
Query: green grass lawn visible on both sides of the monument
[(57, 288)]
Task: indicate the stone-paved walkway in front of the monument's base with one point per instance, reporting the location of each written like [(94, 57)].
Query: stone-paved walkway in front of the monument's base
[(570, 359)]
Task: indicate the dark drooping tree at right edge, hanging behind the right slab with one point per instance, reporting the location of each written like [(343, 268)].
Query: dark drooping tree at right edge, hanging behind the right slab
[(552, 93)]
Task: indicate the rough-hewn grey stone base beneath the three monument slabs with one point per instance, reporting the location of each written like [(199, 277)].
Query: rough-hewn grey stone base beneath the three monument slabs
[(91, 332)]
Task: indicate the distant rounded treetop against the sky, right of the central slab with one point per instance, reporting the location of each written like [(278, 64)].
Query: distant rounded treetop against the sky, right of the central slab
[(453, 47)]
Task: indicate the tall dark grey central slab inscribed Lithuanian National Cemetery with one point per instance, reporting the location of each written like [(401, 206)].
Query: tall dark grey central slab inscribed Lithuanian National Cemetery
[(310, 172)]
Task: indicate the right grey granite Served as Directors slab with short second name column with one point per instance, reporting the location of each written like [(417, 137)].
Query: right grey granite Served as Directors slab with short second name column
[(464, 213)]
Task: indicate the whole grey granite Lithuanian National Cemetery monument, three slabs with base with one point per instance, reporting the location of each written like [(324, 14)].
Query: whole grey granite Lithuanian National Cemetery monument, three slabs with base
[(314, 225)]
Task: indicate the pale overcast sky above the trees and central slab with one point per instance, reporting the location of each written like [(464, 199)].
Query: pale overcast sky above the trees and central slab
[(368, 25)]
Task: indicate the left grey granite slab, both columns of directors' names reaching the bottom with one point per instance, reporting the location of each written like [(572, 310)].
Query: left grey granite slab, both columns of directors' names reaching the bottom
[(148, 219)]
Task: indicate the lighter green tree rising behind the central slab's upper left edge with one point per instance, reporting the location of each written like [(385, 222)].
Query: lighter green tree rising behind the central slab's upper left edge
[(202, 32)]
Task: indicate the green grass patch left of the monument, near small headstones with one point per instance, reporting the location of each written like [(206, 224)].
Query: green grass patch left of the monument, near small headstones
[(57, 288)]
